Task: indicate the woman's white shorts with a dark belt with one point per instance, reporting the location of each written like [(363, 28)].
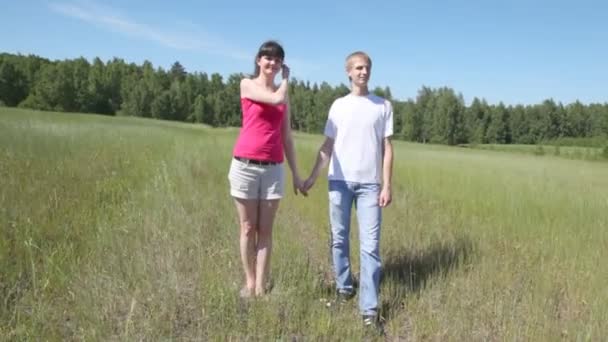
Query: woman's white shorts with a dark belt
[(252, 181)]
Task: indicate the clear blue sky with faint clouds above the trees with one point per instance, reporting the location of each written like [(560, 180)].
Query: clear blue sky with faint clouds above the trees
[(510, 51)]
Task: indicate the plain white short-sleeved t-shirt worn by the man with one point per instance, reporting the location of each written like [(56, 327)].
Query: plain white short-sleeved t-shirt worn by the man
[(358, 126)]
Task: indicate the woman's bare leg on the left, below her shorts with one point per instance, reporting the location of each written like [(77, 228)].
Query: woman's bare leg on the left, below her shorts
[(248, 219)]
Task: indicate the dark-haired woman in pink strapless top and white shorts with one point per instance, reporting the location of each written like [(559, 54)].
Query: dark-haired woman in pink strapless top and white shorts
[(256, 172)]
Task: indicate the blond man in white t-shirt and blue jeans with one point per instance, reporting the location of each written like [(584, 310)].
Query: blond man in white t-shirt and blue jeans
[(360, 156)]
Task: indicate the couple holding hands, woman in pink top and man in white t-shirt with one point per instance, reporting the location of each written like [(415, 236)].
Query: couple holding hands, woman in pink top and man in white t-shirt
[(359, 153)]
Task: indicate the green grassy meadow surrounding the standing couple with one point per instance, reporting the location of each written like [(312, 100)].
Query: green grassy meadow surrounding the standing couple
[(116, 228)]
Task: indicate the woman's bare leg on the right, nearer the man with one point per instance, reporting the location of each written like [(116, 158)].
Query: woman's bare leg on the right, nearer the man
[(267, 213)]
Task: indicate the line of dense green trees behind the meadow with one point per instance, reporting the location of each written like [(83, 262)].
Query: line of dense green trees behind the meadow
[(435, 115)]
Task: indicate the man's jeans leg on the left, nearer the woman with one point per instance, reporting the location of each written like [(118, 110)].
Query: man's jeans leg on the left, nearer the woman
[(340, 204)]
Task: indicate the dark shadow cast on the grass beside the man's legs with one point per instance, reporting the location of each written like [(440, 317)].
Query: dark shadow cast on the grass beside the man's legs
[(411, 270)]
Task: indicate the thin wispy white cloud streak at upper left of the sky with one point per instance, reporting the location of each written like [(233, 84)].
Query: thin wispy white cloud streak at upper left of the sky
[(110, 20)]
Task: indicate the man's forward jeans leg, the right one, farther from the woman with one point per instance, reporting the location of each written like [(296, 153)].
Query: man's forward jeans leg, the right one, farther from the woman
[(369, 219)]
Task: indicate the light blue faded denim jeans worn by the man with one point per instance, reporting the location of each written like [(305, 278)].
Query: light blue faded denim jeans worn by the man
[(342, 195)]
